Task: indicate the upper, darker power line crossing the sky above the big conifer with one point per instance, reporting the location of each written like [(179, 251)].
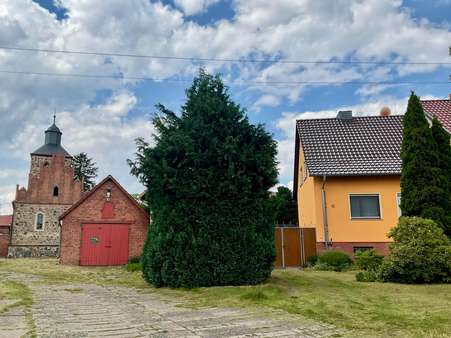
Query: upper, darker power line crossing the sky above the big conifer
[(242, 60)]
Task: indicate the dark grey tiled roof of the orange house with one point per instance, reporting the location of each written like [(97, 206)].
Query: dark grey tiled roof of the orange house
[(364, 146)]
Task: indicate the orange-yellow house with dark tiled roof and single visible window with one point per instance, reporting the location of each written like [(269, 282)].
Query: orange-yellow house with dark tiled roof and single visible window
[(347, 179)]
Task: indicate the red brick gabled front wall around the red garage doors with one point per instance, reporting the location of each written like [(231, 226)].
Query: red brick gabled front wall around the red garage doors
[(90, 211)]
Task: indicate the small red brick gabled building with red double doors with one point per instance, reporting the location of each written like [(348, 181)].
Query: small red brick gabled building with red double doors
[(105, 227)]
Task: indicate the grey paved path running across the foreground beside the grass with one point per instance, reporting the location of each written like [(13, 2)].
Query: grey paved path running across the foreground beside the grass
[(88, 310)]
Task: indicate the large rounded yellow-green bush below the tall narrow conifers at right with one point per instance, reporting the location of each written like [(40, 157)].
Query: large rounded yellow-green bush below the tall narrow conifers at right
[(421, 253)]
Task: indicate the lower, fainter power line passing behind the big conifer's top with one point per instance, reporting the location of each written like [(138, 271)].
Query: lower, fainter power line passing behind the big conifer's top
[(237, 83)]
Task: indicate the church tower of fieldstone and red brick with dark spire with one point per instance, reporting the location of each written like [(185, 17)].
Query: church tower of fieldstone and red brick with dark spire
[(51, 190)]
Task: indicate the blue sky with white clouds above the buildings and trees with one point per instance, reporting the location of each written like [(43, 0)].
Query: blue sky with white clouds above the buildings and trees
[(388, 42)]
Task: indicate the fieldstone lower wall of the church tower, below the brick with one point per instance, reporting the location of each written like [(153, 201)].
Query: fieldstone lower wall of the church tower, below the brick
[(24, 234)]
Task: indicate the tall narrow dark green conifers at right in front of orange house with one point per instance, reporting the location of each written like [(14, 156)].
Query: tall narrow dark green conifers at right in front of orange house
[(424, 184)]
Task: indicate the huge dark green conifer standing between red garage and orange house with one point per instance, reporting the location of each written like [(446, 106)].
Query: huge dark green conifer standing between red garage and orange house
[(207, 180)]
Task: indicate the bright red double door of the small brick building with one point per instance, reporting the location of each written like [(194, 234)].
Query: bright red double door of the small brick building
[(104, 244)]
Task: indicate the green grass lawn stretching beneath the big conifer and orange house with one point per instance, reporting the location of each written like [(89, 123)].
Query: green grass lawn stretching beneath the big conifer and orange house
[(366, 309)]
